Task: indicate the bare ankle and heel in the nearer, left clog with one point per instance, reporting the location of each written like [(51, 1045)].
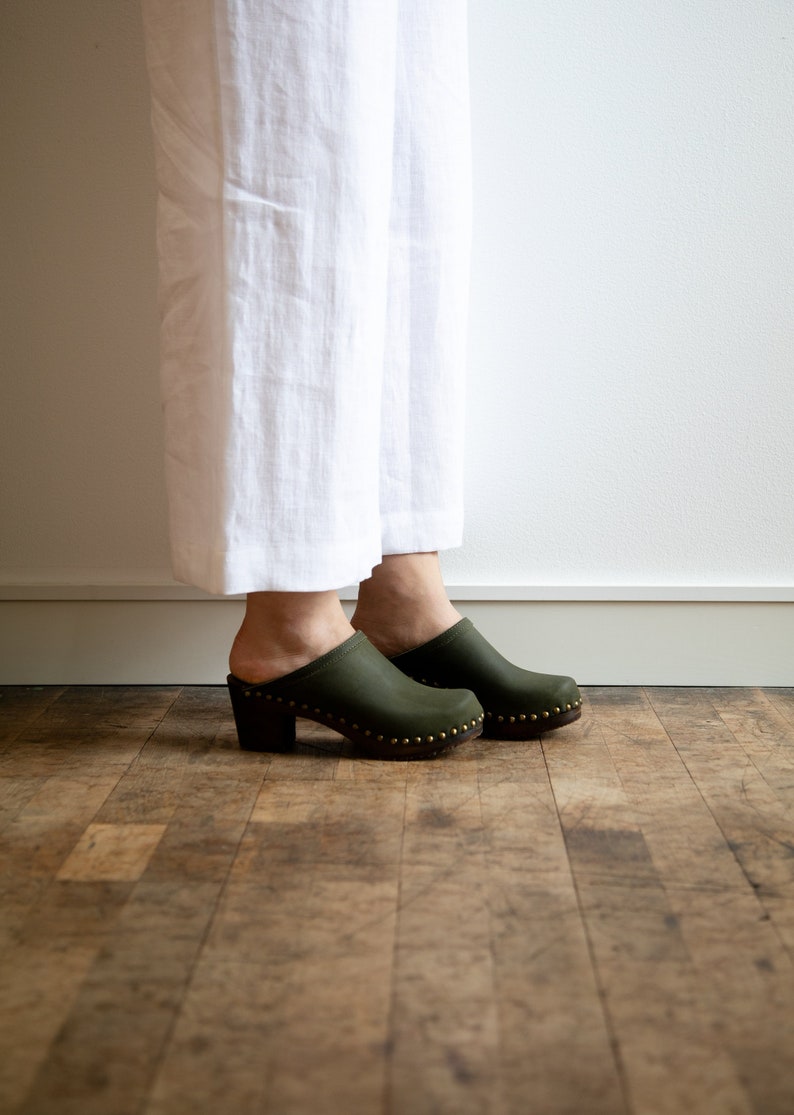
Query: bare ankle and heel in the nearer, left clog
[(285, 631)]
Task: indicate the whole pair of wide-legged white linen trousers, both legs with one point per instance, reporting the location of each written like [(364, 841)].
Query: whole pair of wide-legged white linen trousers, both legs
[(314, 235)]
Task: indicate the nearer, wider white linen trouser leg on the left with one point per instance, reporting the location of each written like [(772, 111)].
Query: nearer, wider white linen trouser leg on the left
[(274, 138)]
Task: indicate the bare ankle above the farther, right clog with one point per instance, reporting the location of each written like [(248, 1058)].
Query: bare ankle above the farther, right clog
[(404, 604)]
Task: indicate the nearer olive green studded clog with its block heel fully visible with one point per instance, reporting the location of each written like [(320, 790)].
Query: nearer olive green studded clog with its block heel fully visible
[(359, 693)]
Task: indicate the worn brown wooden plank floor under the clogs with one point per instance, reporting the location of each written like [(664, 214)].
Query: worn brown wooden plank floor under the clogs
[(601, 923)]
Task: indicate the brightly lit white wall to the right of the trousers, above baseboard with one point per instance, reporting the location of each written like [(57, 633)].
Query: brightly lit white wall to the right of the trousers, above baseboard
[(633, 344)]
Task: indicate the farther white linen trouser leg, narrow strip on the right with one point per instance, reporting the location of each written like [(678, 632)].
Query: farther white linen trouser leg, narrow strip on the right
[(422, 442)]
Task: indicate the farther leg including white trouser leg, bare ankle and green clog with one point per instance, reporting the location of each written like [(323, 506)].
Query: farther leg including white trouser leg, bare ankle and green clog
[(404, 607)]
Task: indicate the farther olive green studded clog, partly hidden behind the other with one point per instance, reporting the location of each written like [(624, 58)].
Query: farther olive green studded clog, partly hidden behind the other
[(519, 704)]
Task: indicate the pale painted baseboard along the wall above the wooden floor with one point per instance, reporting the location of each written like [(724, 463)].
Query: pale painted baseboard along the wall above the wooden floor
[(166, 635)]
